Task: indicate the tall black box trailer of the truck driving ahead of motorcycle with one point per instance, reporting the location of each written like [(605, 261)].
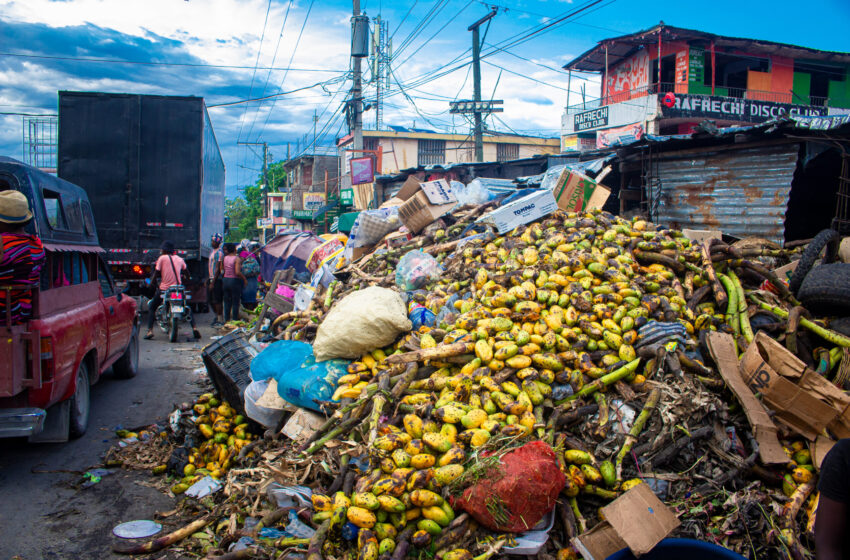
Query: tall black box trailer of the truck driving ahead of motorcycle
[(153, 171)]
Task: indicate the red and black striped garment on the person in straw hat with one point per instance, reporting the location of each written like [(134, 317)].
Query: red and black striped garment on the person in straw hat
[(20, 265)]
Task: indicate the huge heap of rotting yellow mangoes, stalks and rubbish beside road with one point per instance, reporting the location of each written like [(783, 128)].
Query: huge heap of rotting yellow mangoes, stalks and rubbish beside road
[(572, 364)]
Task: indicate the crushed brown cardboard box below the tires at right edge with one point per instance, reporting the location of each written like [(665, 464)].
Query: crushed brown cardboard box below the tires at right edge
[(795, 407)]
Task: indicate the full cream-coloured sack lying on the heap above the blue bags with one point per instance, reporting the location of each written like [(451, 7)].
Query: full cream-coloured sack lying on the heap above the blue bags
[(360, 322)]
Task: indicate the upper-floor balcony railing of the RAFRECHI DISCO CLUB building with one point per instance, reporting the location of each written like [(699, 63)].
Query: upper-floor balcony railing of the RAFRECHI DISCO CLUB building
[(664, 87)]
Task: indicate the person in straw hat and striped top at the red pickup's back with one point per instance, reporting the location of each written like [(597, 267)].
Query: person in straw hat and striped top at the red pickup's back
[(21, 257)]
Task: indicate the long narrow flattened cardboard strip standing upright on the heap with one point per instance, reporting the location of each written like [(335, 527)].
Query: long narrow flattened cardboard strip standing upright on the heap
[(722, 349)]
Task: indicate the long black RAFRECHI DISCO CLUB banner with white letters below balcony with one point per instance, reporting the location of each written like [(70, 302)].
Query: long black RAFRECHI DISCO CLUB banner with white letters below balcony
[(734, 109)]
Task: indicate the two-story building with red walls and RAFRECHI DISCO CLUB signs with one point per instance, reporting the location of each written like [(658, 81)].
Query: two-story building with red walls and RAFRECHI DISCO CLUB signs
[(666, 80)]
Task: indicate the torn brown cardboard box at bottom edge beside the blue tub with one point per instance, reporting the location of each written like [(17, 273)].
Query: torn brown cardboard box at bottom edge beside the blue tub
[(637, 520)]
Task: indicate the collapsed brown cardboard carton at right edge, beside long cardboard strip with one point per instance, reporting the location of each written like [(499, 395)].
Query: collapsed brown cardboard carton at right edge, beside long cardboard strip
[(803, 400)]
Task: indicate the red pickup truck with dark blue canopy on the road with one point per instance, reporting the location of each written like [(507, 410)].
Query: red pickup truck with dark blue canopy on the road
[(80, 326)]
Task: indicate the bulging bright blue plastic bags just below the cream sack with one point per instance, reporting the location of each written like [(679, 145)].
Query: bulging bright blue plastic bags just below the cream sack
[(300, 380)]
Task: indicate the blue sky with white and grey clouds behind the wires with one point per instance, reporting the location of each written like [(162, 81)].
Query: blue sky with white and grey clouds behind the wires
[(211, 47)]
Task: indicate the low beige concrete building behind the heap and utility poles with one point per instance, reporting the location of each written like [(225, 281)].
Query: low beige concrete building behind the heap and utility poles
[(403, 148)]
